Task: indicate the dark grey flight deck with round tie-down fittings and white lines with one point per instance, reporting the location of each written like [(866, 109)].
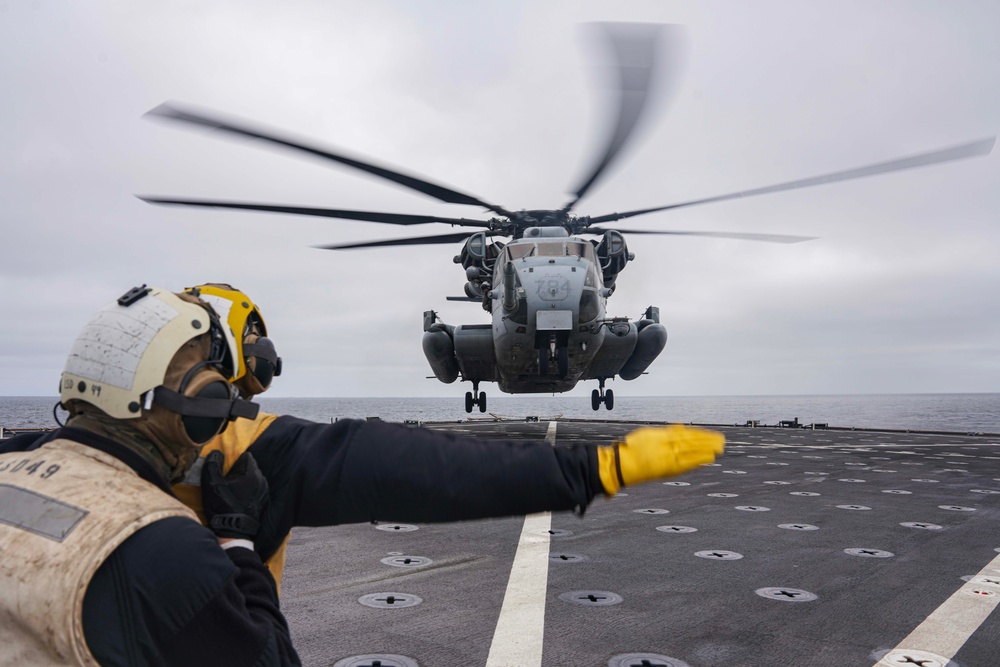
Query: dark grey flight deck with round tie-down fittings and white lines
[(798, 547)]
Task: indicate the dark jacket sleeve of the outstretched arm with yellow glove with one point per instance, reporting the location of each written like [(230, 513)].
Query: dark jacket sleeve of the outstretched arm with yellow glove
[(356, 471)]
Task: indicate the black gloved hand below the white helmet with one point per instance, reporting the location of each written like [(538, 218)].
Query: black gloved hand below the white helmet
[(233, 503)]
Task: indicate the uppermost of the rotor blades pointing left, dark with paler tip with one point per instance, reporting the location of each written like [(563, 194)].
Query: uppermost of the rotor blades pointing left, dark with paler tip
[(170, 111)]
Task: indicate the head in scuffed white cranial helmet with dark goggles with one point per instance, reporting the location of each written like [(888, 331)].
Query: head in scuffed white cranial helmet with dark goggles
[(161, 362)]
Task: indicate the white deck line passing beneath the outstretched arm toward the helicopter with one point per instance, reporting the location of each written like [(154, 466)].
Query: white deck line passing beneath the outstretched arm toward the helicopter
[(517, 641)]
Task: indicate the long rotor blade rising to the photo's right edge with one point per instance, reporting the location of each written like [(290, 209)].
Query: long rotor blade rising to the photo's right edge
[(959, 152)]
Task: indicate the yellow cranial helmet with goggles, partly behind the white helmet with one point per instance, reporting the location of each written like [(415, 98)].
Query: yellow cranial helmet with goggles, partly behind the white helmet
[(257, 361)]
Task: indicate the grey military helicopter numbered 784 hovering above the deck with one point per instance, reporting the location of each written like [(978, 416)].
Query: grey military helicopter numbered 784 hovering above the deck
[(547, 287)]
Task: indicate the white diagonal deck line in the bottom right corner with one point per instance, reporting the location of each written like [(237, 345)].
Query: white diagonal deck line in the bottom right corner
[(950, 625)]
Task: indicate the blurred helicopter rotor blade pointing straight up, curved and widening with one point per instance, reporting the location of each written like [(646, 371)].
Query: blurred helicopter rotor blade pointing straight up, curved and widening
[(635, 49)]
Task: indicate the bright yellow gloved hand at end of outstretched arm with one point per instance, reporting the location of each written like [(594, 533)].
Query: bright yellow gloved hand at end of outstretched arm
[(654, 452)]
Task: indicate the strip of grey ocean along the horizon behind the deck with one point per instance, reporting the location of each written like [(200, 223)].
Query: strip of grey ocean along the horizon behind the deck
[(961, 413)]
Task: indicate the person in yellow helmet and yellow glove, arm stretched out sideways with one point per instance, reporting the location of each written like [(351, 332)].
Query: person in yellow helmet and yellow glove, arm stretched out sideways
[(355, 471)]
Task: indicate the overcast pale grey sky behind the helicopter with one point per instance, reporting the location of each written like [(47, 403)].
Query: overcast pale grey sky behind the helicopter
[(898, 294)]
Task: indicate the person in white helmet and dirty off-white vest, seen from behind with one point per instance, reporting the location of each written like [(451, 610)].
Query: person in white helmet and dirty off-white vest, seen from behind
[(101, 564)]
